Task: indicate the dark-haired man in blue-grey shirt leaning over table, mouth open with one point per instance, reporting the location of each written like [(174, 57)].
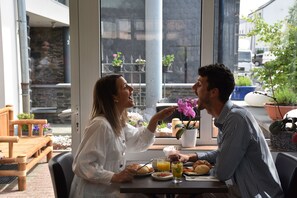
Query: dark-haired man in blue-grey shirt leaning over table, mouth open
[(243, 158)]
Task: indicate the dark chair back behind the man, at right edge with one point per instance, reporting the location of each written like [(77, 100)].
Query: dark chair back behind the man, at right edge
[(286, 166)]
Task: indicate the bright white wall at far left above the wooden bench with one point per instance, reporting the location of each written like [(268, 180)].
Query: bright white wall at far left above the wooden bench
[(9, 57)]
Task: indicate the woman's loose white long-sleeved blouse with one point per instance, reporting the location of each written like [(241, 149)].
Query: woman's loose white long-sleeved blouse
[(101, 154)]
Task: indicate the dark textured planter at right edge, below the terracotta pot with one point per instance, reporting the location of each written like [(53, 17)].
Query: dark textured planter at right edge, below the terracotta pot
[(282, 142)]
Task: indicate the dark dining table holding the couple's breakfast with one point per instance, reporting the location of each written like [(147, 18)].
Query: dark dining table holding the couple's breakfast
[(148, 185)]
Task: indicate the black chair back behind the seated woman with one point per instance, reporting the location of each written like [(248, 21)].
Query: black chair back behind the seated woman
[(60, 167)]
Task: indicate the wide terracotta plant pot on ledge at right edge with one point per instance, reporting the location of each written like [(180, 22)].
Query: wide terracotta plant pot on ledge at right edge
[(277, 112)]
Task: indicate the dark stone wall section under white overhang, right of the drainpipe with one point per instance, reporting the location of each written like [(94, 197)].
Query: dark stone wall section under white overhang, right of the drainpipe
[(47, 55)]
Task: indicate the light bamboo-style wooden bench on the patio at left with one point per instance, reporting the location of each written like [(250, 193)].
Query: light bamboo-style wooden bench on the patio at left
[(25, 151)]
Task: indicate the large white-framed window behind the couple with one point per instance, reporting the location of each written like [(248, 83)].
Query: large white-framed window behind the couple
[(209, 44)]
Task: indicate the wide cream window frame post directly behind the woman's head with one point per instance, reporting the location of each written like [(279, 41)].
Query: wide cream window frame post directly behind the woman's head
[(85, 61)]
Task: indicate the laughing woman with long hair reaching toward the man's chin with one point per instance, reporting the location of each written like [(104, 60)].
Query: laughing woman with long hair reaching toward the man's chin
[(99, 164)]
